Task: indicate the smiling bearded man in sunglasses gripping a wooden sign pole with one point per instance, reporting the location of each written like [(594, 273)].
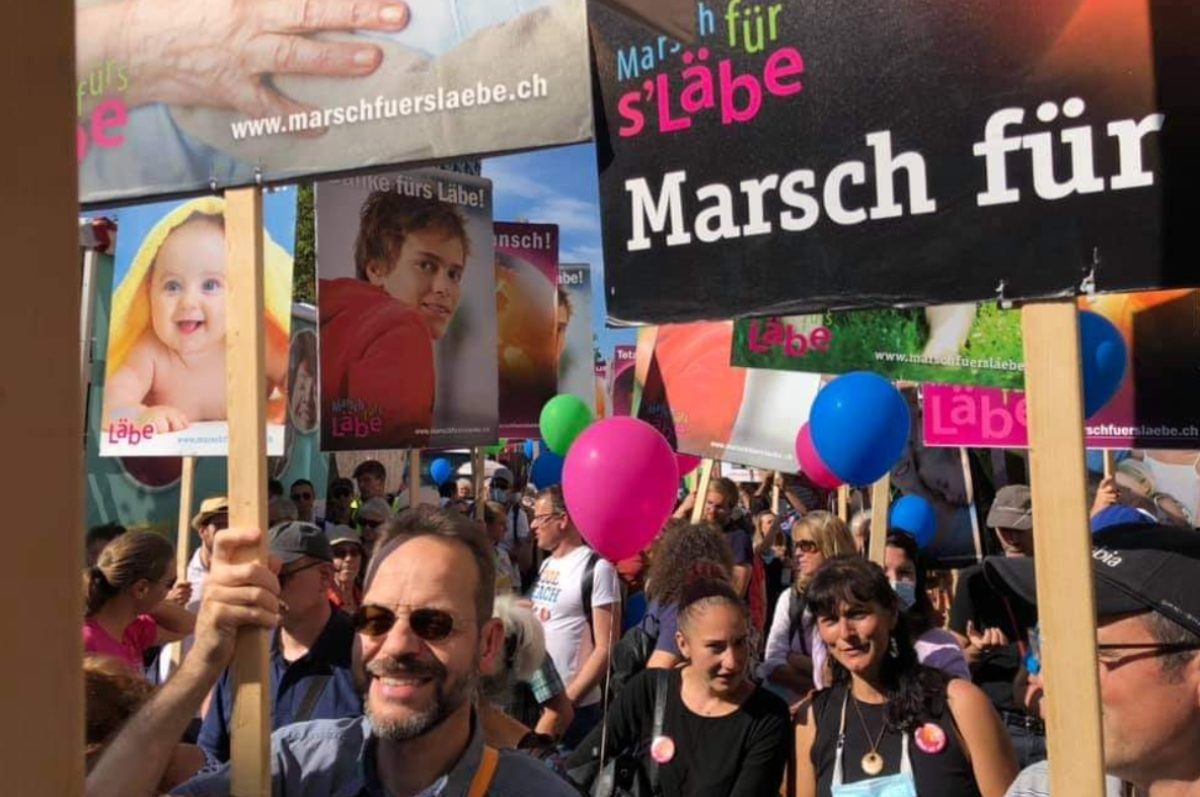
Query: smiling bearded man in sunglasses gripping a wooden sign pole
[(427, 637)]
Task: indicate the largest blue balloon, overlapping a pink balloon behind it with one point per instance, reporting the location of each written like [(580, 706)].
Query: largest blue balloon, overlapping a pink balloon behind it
[(860, 427)]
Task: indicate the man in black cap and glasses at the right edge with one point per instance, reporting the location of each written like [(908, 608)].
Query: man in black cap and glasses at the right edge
[(1148, 601)]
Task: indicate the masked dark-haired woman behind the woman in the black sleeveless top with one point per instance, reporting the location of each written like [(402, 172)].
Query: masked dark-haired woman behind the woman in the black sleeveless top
[(905, 571)]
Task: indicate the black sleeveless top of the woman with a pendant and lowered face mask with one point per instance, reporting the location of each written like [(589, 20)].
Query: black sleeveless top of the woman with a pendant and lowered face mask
[(944, 774)]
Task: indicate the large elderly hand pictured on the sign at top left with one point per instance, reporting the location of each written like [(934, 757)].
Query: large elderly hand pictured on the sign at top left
[(223, 53)]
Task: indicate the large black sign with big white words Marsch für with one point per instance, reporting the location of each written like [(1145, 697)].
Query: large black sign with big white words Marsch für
[(967, 151)]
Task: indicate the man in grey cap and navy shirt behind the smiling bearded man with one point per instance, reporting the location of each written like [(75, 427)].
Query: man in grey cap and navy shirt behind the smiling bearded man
[(311, 669)]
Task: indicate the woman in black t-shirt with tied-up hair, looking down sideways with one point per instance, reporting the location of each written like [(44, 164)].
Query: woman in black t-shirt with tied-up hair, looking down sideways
[(721, 735)]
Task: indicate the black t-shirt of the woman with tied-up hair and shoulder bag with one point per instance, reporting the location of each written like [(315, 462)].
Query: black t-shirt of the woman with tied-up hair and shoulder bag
[(740, 756)]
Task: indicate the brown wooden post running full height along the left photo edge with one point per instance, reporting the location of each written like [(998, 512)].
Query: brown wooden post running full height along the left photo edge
[(41, 421)]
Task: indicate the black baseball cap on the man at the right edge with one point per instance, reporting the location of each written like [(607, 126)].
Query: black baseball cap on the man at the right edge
[(1137, 568)]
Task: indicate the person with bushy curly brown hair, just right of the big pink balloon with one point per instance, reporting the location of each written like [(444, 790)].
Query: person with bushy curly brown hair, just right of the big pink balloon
[(681, 553)]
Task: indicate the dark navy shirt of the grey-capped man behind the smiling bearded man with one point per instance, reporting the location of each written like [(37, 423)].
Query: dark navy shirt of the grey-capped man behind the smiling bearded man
[(291, 682)]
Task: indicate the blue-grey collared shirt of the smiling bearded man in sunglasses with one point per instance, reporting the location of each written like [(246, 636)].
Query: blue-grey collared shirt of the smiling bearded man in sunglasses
[(337, 759)]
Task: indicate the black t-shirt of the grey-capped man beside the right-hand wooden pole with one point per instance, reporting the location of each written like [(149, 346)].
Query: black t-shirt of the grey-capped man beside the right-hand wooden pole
[(979, 602)]
